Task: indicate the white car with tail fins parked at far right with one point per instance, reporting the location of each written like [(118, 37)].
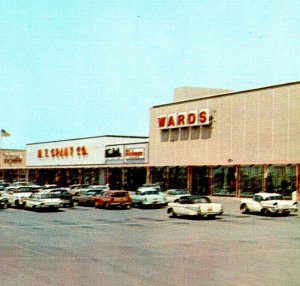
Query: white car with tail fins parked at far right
[(268, 203)]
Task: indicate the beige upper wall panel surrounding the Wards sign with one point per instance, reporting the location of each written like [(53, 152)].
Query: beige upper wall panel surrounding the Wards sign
[(260, 126)]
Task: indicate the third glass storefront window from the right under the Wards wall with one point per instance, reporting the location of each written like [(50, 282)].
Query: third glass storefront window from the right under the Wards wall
[(224, 181)]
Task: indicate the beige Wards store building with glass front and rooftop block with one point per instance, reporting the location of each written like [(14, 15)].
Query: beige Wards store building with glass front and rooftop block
[(219, 142)]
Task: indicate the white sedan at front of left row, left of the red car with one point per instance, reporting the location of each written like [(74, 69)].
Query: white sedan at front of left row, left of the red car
[(38, 201)]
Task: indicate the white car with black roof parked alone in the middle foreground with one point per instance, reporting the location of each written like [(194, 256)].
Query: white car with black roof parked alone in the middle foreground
[(195, 205)]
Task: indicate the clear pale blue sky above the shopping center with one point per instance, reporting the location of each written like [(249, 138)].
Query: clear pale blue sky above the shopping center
[(73, 69)]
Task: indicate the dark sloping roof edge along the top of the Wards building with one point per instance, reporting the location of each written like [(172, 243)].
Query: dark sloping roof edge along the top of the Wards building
[(226, 94)]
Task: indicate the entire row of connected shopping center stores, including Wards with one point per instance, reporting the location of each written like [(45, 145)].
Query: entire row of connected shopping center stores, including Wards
[(210, 141)]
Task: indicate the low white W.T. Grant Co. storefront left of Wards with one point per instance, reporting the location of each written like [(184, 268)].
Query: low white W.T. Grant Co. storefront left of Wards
[(120, 161)]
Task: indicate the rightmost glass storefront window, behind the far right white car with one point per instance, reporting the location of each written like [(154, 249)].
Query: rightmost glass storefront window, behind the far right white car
[(281, 179)]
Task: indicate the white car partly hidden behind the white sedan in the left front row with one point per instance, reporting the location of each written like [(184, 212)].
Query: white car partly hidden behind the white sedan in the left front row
[(16, 195)]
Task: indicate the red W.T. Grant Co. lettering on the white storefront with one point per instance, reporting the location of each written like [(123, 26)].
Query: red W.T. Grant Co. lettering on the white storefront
[(63, 152)]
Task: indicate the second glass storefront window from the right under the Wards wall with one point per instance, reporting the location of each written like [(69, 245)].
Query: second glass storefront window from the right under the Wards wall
[(251, 180)]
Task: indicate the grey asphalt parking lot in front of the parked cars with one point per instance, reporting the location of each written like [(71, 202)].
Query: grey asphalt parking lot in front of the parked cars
[(88, 246)]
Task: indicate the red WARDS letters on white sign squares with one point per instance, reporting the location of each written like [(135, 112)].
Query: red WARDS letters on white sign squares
[(184, 119)]
